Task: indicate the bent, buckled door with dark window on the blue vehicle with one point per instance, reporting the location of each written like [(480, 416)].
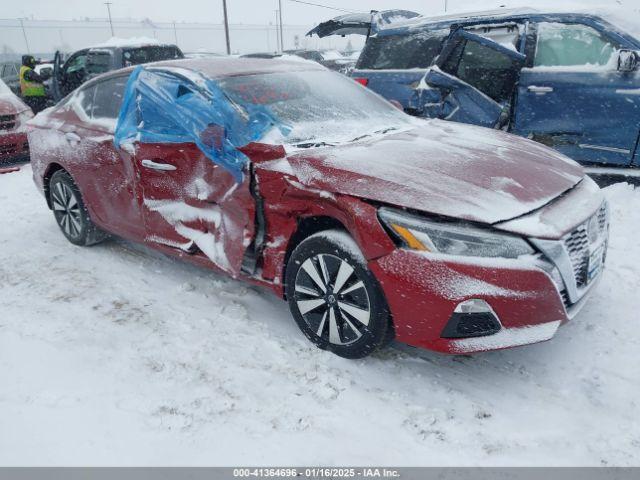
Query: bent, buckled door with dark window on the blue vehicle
[(473, 82)]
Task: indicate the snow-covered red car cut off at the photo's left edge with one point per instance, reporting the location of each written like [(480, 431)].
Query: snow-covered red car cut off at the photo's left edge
[(13, 116)]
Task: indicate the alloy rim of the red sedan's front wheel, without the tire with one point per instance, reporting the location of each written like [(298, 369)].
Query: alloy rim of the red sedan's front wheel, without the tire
[(332, 299)]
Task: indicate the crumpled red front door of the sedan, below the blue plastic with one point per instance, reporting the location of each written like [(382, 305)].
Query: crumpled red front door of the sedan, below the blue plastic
[(190, 203)]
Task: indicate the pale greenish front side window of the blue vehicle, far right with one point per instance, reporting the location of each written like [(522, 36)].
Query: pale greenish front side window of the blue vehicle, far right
[(568, 45)]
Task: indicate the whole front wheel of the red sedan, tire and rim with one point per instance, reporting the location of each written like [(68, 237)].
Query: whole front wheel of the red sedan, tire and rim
[(334, 298)]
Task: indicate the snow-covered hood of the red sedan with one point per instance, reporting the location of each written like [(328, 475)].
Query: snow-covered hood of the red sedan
[(443, 168)]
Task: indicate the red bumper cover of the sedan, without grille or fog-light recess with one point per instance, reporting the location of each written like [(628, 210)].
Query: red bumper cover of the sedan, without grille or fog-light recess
[(423, 291)]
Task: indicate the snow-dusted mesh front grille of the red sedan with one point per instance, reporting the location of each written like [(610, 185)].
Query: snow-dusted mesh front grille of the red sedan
[(577, 243)]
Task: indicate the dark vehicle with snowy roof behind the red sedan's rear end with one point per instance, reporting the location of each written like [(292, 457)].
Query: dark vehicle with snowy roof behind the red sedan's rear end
[(89, 62)]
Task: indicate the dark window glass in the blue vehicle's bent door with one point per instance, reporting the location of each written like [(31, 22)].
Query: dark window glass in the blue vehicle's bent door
[(492, 72)]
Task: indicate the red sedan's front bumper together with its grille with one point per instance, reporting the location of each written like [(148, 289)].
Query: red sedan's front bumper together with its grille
[(529, 298)]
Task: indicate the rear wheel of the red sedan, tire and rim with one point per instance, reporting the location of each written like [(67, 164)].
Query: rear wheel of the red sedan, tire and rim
[(70, 212)]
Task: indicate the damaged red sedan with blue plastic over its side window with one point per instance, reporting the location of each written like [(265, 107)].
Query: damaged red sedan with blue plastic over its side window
[(371, 224)]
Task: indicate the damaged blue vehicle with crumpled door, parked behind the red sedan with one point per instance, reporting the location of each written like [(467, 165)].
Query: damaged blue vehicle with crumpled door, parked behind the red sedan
[(567, 80)]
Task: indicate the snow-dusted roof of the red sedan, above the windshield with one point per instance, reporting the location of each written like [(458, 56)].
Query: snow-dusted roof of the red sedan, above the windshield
[(221, 67)]
